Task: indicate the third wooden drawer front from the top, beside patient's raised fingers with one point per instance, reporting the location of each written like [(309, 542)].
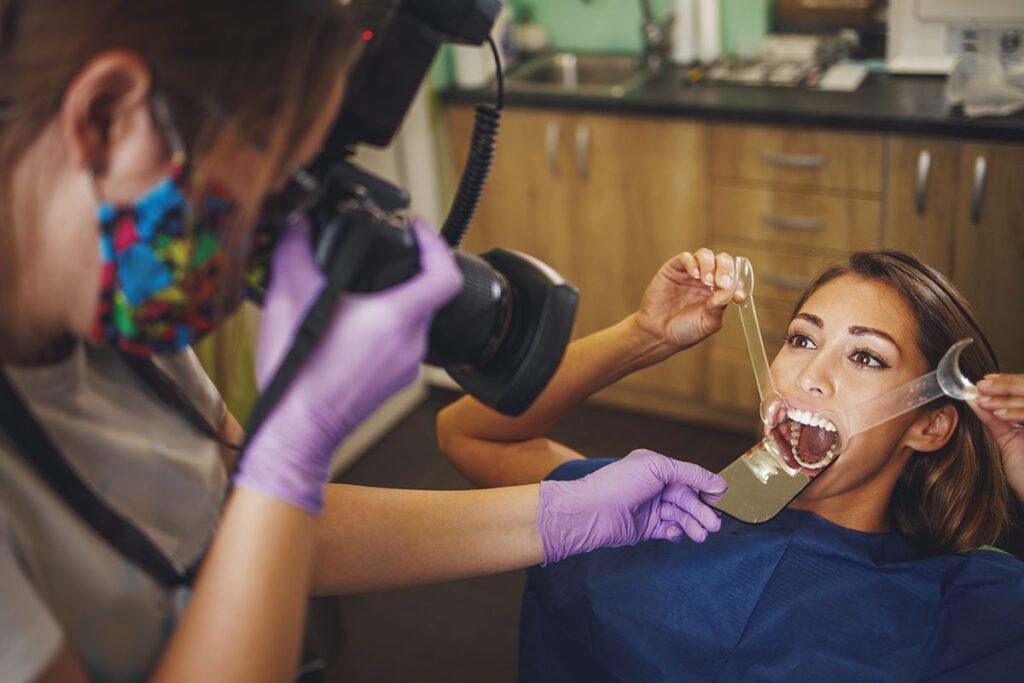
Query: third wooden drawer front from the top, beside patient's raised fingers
[(780, 278)]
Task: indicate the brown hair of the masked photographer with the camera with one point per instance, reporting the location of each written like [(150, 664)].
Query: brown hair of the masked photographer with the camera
[(261, 66)]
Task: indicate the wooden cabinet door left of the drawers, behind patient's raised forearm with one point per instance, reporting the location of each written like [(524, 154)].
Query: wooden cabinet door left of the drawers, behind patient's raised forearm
[(638, 197)]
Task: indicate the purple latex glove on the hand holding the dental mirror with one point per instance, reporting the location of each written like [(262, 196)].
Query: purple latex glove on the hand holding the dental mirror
[(644, 497)]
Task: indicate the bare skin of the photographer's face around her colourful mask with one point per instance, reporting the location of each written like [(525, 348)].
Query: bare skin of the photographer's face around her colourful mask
[(56, 225)]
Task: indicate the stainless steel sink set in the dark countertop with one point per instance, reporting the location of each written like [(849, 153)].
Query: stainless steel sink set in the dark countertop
[(581, 74)]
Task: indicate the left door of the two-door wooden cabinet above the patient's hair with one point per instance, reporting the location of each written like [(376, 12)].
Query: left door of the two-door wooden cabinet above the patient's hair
[(921, 199)]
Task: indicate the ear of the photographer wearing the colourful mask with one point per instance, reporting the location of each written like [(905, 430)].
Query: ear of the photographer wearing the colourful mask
[(106, 108)]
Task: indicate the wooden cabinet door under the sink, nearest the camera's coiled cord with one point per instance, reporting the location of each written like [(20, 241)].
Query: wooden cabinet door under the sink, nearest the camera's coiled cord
[(525, 204)]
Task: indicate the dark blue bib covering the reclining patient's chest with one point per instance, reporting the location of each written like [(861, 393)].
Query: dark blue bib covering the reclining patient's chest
[(795, 600)]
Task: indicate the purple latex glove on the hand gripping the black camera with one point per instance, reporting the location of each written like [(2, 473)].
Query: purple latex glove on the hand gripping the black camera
[(373, 349)]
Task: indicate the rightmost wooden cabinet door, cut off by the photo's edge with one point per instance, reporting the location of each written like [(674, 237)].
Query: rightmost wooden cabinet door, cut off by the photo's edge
[(990, 244)]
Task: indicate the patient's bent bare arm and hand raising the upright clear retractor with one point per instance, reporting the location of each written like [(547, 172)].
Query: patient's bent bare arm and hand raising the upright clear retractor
[(492, 450)]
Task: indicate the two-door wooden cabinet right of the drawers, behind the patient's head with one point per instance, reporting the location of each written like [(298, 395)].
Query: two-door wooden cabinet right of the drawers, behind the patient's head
[(960, 207)]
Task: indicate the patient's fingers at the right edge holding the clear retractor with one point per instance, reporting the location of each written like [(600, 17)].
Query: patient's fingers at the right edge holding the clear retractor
[(1001, 408)]
